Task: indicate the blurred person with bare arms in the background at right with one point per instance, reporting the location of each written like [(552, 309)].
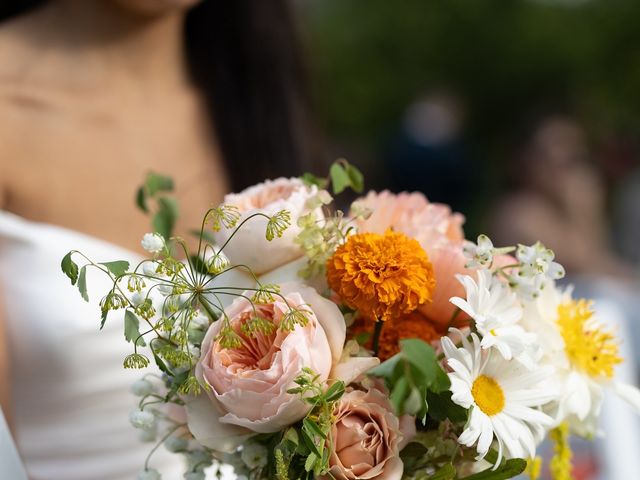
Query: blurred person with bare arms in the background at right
[(559, 198)]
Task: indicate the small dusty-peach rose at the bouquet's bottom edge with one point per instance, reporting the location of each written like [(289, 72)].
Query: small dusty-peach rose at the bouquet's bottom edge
[(366, 438)]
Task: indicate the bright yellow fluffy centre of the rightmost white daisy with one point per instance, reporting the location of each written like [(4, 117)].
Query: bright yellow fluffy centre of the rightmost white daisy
[(588, 345)]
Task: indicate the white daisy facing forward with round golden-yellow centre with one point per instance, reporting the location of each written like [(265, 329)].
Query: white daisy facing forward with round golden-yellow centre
[(503, 397)]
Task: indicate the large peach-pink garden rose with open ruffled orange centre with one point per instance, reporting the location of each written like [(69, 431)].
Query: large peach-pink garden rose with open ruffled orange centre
[(248, 385)]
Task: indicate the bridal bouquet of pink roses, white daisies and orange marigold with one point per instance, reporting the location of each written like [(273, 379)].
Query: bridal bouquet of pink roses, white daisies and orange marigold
[(298, 341)]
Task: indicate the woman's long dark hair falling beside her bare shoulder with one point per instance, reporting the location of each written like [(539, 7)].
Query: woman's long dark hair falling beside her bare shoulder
[(244, 56)]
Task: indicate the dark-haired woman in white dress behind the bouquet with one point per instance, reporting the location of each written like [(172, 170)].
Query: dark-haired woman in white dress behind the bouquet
[(93, 95)]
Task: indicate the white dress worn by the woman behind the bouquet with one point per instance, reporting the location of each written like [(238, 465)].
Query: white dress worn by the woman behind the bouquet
[(70, 393)]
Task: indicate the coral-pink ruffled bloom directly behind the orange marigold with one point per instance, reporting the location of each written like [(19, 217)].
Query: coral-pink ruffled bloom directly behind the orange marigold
[(438, 230)]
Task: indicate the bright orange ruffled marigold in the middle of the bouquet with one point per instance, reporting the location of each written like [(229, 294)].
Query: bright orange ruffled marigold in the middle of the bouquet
[(382, 276)]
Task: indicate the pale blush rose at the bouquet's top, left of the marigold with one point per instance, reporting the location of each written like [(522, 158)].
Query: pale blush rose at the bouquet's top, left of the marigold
[(249, 245)]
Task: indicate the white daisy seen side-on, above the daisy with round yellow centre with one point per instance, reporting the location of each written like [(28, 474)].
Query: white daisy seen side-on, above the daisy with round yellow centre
[(496, 312)]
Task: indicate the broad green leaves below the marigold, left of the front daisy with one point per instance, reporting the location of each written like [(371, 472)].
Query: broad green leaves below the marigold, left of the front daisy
[(410, 375)]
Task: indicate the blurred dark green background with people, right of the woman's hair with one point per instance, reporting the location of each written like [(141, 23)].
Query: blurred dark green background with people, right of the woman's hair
[(522, 115)]
